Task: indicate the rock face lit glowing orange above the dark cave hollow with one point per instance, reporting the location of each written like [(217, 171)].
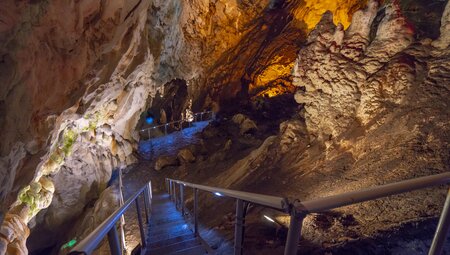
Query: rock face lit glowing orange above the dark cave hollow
[(263, 58)]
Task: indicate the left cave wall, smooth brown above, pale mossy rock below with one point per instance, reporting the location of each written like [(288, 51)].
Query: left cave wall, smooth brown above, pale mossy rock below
[(75, 75)]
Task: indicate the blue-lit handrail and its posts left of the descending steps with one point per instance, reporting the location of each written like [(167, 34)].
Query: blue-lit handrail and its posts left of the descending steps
[(91, 242)]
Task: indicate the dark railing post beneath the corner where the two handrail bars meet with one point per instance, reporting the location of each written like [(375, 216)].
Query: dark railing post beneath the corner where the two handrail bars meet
[(294, 232)]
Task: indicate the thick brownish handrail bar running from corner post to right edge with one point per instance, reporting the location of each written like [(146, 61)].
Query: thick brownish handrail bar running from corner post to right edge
[(354, 197)]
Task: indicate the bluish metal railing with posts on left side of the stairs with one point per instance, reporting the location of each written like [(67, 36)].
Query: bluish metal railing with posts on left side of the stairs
[(108, 226)]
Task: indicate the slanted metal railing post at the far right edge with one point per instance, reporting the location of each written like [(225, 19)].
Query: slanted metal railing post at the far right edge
[(442, 229)]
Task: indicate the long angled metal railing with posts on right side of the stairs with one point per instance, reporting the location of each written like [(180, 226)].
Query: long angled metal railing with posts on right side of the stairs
[(299, 210)]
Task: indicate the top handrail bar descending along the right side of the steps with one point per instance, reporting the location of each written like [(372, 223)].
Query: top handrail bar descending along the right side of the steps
[(265, 200)]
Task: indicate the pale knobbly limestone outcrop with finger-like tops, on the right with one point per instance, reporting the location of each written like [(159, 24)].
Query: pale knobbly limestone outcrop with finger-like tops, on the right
[(348, 78)]
